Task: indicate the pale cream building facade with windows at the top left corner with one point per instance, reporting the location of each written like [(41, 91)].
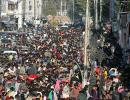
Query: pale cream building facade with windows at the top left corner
[(21, 10)]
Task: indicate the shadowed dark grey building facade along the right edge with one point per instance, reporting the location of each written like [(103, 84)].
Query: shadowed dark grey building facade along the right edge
[(124, 29)]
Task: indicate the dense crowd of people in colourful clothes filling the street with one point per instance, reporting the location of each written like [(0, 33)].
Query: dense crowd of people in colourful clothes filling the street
[(53, 70)]
